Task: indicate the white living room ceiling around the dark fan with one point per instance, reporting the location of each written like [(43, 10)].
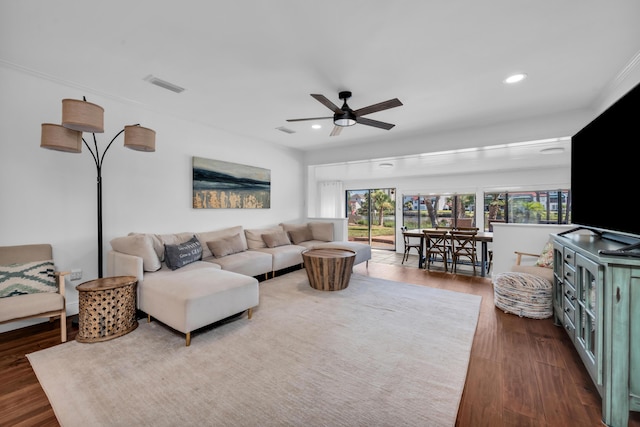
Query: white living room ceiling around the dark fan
[(247, 66)]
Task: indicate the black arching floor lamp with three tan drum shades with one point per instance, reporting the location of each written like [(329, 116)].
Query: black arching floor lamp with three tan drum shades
[(82, 116)]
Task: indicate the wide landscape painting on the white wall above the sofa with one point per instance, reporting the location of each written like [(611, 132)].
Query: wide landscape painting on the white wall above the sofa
[(225, 185)]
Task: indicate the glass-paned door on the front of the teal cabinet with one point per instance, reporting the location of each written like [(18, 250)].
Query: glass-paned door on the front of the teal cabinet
[(588, 315)]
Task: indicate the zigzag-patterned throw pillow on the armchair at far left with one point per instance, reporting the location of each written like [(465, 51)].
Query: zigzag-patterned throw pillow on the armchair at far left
[(27, 278)]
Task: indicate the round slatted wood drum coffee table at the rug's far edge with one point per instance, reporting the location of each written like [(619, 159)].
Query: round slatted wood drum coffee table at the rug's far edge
[(328, 269)]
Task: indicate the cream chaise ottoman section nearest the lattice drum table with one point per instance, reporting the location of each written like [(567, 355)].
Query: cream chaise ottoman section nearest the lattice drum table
[(190, 298)]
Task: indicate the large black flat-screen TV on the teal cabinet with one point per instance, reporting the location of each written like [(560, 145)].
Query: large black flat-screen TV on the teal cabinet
[(605, 170)]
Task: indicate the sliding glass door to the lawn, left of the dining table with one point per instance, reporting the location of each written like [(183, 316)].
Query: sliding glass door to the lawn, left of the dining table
[(372, 217)]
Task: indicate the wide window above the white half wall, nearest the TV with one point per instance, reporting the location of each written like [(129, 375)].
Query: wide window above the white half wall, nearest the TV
[(526, 207)]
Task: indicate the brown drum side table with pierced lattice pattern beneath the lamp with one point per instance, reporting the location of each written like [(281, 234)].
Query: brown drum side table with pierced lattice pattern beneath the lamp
[(107, 308)]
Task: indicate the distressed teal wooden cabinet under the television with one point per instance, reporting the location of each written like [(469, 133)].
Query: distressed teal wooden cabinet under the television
[(596, 298)]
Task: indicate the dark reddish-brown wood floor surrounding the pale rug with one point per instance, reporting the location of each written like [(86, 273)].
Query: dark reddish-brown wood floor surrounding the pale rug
[(522, 372)]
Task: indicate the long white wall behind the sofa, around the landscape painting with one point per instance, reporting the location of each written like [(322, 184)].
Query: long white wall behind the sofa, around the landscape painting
[(50, 197)]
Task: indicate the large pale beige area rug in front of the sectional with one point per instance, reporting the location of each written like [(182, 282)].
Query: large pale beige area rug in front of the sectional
[(378, 353)]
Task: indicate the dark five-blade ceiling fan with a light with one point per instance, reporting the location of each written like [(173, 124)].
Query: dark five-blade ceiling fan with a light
[(345, 116)]
